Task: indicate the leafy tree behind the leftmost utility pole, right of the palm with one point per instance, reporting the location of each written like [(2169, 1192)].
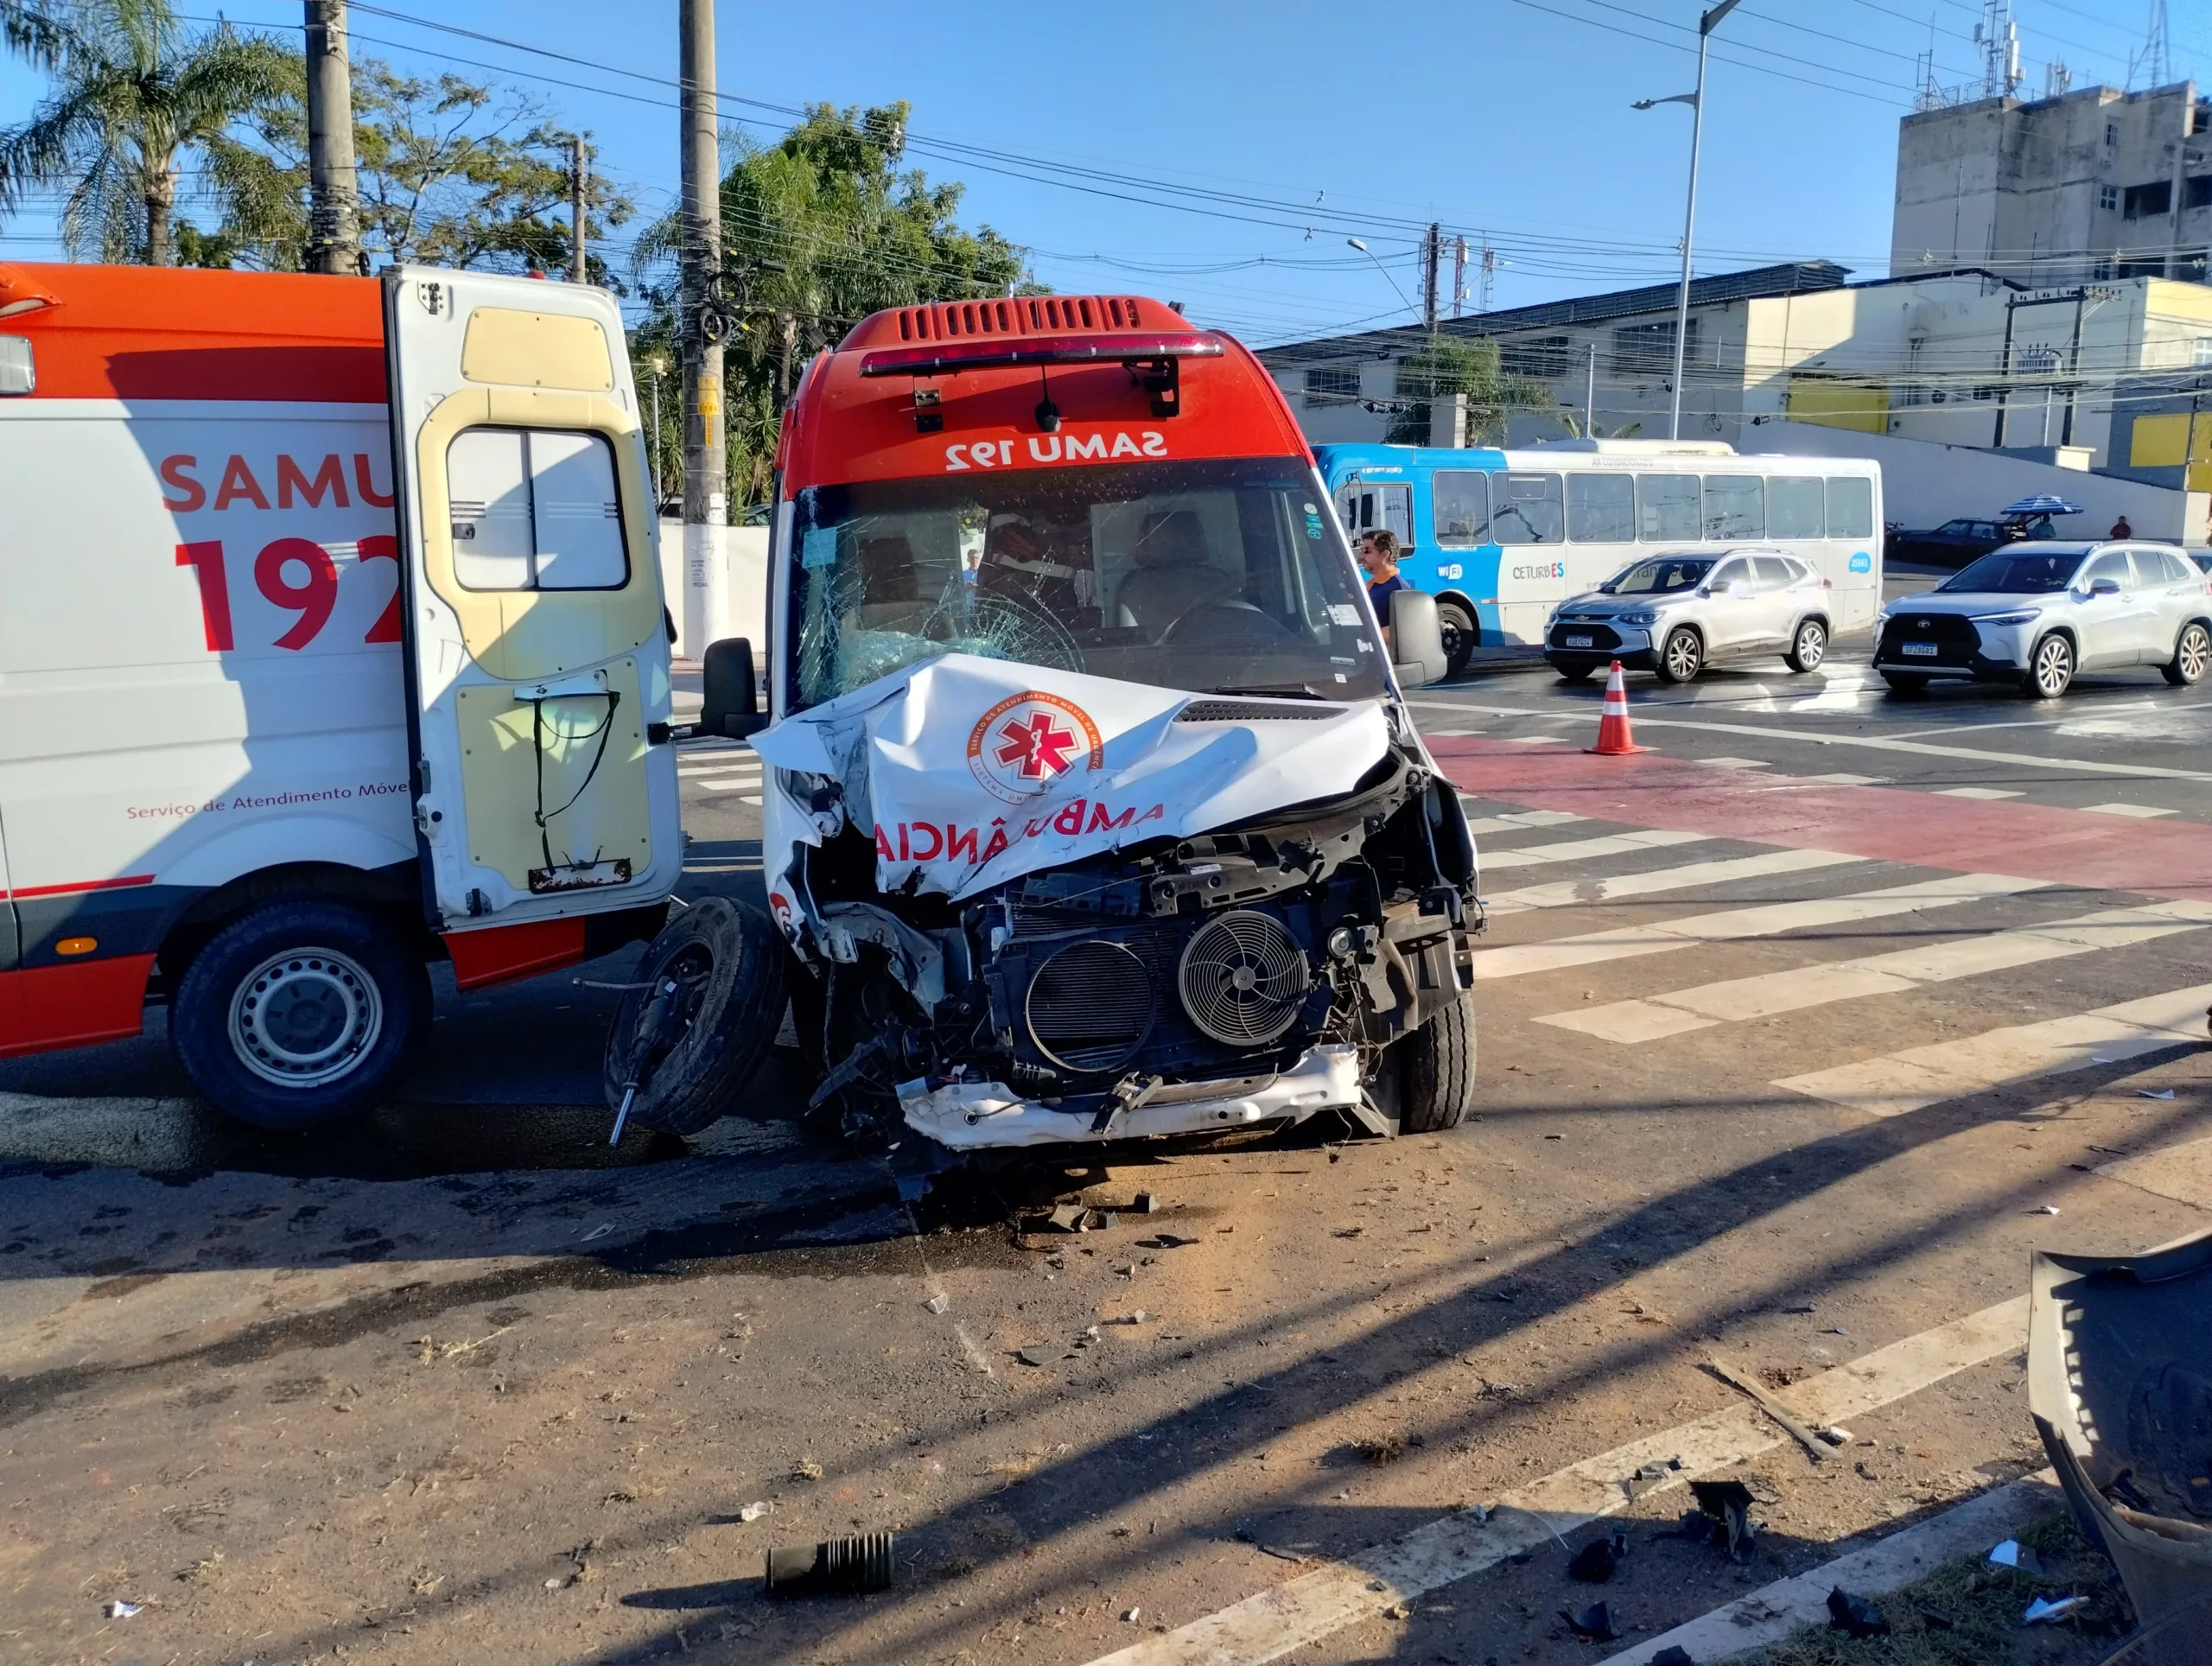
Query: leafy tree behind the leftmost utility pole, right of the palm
[(448, 174)]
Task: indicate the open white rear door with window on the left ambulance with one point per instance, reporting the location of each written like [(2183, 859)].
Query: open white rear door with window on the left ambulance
[(536, 654)]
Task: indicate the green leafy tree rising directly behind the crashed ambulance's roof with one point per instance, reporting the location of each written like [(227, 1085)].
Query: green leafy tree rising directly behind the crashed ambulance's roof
[(820, 231)]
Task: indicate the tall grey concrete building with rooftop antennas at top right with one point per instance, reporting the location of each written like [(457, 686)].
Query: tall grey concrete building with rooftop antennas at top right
[(2076, 189)]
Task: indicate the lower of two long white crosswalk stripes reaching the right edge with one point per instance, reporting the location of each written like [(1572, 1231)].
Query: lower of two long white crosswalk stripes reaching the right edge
[(1919, 1076)]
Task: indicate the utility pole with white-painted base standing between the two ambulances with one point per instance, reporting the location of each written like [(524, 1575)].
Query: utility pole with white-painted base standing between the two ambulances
[(707, 461)]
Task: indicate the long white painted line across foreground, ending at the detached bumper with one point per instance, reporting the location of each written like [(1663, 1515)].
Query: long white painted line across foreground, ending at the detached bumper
[(1454, 1548)]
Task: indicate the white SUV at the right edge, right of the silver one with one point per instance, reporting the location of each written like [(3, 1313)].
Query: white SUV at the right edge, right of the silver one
[(2038, 614)]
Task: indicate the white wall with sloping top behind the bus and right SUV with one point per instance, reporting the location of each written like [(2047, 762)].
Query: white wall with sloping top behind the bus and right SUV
[(1926, 486)]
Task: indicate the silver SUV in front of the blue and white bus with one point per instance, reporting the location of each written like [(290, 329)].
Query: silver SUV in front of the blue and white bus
[(1676, 614)]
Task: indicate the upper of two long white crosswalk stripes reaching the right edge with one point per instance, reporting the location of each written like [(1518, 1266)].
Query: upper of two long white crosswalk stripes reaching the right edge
[(1879, 975)]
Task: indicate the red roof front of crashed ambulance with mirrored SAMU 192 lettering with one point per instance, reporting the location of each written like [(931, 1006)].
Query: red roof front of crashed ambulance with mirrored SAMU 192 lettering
[(844, 426)]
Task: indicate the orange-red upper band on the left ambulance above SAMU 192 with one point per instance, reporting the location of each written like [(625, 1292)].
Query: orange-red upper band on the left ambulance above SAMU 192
[(185, 333)]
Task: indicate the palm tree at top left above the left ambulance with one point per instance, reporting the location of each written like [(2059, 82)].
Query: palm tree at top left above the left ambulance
[(132, 96)]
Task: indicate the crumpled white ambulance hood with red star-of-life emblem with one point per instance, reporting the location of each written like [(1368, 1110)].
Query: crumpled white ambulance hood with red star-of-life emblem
[(974, 771)]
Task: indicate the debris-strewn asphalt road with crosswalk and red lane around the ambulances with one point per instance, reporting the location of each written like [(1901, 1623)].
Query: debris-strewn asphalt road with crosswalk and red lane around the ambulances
[(1797, 1028)]
